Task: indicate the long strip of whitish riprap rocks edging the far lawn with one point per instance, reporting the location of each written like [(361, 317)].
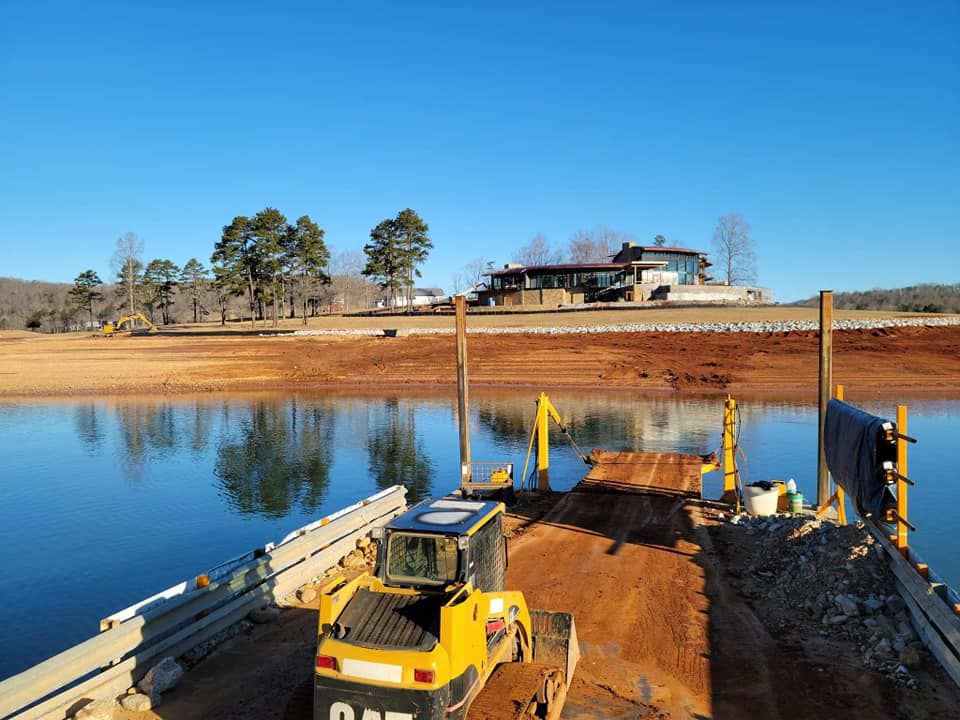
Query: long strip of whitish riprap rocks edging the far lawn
[(722, 328)]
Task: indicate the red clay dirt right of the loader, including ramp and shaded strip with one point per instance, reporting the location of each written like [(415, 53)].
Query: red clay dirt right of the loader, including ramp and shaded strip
[(629, 553)]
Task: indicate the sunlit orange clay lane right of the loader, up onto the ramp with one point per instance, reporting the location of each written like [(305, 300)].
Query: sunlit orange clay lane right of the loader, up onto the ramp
[(618, 552)]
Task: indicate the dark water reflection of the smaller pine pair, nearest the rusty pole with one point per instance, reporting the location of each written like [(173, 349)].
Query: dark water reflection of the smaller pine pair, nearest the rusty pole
[(396, 454)]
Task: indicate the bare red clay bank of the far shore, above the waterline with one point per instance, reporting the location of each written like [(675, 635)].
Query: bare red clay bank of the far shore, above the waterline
[(912, 359)]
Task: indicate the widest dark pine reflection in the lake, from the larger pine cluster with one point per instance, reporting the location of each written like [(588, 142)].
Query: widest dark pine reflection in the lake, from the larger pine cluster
[(281, 459)]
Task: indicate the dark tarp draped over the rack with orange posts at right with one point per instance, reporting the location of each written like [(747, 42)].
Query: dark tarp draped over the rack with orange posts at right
[(855, 446)]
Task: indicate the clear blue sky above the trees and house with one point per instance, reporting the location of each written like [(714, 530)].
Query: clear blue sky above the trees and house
[(833, 128)]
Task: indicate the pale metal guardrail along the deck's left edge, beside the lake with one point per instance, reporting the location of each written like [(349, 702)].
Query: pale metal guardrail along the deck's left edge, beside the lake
[(189, 613)]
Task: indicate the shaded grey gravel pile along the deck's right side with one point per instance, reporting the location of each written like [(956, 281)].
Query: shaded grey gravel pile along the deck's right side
[(812, 576)]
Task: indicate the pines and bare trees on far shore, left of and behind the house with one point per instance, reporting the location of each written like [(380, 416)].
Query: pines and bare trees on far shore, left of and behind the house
[(266, 267)]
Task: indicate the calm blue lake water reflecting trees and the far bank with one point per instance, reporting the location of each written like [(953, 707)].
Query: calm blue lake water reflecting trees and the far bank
[(104, 502)]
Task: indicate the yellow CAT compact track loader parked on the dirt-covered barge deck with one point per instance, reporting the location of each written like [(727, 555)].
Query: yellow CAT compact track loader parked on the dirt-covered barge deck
[(433, 631)]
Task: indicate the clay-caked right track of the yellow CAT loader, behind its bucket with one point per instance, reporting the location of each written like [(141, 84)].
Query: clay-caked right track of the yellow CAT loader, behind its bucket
[(521, 691)]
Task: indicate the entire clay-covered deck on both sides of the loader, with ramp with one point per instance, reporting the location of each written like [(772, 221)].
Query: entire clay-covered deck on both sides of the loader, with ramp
[(663, 631)]
